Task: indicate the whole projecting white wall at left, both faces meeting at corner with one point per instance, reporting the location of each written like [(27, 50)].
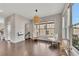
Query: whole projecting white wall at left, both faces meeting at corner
[(17, 23)]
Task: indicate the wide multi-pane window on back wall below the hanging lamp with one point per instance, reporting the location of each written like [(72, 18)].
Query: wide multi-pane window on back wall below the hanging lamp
[(44, 29)]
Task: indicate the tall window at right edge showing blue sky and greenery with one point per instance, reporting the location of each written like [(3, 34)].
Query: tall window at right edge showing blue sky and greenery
[(75, 27)]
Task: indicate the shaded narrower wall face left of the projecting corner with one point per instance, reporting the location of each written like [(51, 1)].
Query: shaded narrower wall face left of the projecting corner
[(9, 21)]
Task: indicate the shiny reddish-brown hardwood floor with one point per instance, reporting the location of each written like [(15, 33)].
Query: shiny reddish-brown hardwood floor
[(27, 48)]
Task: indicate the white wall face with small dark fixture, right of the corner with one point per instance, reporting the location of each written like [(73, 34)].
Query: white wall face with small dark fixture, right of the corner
[(20, 22)]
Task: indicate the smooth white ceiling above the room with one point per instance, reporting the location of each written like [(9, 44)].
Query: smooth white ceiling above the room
[(28, 9)]
